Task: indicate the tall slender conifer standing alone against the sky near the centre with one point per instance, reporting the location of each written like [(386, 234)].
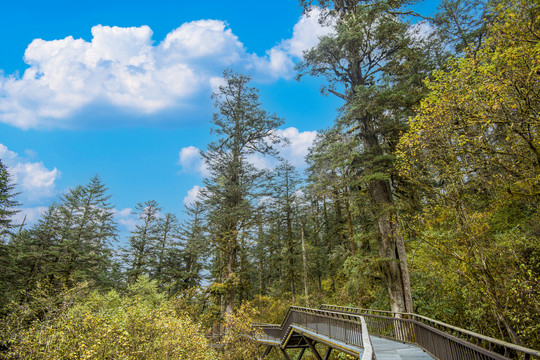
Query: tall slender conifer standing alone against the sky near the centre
[(243, 128)]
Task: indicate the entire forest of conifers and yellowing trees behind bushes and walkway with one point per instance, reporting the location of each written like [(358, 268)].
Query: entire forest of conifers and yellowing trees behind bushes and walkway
[(422, 197)]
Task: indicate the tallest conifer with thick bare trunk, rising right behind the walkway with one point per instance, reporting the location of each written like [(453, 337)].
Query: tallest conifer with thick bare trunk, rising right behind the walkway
[(376, 66)]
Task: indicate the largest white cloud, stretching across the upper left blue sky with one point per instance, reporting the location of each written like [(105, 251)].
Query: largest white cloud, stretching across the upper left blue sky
[(123, 70)]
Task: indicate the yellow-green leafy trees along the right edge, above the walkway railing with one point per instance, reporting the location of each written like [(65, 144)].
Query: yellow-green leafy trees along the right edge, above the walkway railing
[(473, 151)]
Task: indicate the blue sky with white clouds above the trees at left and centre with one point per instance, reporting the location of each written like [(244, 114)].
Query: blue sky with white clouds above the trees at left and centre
[(122, 89)]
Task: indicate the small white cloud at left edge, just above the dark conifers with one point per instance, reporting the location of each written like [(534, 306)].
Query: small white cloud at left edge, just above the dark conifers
[(33, 179)]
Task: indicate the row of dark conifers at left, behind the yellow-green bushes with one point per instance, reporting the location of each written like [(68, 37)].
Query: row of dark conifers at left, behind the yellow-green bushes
[(76, 240)]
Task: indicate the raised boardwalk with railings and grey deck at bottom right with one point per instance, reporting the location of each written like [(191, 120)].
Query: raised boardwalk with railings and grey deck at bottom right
[(371, 334)]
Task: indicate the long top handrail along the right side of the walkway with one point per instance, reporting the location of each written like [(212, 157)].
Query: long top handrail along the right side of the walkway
[(423, 319)]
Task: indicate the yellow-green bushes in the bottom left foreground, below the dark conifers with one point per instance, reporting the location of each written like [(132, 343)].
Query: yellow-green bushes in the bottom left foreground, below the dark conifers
[(138, 325)]
